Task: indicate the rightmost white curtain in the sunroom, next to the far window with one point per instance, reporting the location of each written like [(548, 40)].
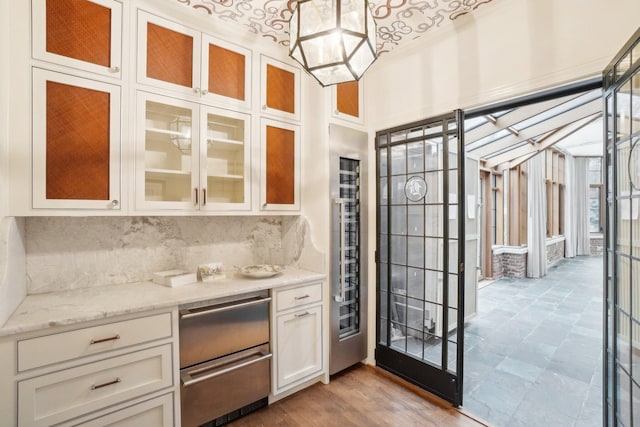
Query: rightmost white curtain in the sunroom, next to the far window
[(581, 206)]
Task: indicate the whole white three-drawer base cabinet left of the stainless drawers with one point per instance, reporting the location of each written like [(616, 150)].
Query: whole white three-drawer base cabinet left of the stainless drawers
[(120, 372)]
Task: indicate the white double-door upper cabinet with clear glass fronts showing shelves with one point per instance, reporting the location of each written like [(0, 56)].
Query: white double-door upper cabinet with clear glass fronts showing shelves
[(191, 157)]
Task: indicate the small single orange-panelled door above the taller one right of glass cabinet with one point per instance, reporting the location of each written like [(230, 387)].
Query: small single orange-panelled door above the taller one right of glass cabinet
[(280, 89)]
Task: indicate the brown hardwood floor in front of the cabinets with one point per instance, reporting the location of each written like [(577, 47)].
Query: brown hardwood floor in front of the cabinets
[(360, 396)]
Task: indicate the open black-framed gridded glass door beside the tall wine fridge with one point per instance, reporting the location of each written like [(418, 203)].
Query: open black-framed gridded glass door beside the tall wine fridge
[(420, 256)]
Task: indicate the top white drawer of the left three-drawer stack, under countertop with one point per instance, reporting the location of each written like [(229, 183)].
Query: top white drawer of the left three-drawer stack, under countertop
[(49, 349)]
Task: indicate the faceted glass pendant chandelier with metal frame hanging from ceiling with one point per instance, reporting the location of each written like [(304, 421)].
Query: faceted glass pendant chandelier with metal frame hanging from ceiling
[(334, 40)]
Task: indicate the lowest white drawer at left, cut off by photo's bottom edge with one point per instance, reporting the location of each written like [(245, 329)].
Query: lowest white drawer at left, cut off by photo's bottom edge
[(153, 412)]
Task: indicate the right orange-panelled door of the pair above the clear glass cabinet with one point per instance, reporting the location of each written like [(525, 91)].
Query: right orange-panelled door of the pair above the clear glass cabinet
[(226, 72)]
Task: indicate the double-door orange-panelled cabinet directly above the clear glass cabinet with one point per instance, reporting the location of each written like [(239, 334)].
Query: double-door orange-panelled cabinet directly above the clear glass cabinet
[(180, 59)]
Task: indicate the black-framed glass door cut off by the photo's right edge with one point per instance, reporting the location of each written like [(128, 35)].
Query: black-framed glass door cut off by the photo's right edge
[(622, 245)]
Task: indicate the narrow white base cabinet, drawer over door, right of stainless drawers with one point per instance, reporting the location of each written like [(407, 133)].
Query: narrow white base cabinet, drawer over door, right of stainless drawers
[(298, 336)]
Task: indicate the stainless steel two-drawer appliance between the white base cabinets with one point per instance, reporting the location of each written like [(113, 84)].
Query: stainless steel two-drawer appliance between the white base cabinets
[(224, 357)]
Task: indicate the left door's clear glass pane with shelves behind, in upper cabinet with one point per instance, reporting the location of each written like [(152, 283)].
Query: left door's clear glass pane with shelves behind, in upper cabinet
[(168, 158)]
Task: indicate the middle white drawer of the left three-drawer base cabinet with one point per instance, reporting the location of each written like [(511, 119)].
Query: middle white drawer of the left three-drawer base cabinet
[(62, 395)]
